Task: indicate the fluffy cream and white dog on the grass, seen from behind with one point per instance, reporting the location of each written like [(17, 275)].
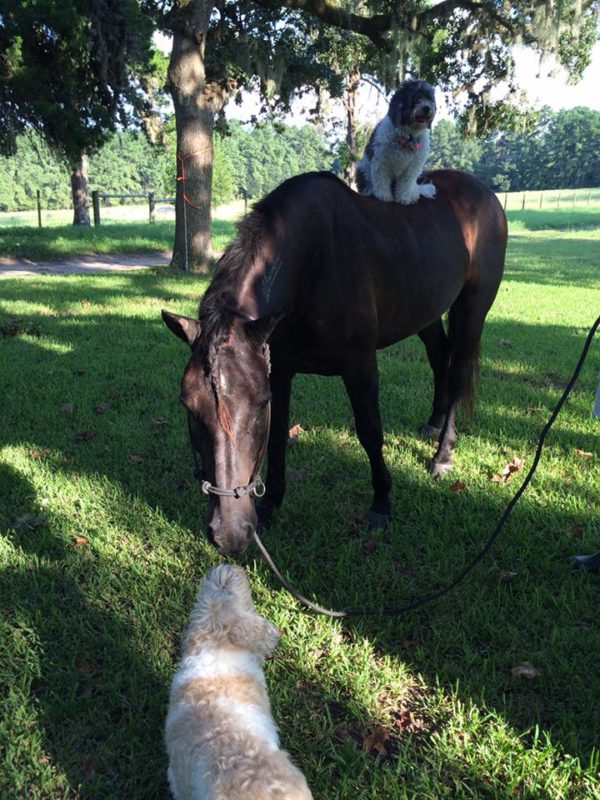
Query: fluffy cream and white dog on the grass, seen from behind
[(221, 739)]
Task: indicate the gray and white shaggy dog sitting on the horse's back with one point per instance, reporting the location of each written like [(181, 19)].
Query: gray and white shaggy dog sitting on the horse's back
[(399, 146)]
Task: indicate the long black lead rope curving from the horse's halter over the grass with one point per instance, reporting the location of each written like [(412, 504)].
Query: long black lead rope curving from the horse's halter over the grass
[(429, 598)]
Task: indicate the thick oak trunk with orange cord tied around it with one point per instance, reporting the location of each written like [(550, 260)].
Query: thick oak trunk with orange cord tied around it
[(196, 101)]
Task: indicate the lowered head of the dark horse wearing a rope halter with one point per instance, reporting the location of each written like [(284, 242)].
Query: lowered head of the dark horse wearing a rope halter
[(225, 389)]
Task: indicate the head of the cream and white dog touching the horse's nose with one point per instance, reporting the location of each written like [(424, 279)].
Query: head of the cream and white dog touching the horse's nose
[(224, 614)]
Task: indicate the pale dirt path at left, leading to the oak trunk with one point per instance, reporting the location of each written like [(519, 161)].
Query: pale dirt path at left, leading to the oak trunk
[(82, 265)]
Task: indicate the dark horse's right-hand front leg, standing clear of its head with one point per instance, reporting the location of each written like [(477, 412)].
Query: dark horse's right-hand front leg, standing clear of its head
[(362, 385)]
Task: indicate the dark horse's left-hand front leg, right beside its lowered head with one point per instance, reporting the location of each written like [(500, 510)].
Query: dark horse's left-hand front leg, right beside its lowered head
[(281, 389)]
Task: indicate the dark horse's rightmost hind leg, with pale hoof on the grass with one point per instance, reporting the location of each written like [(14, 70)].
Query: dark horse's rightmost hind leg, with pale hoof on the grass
[(465, 325)]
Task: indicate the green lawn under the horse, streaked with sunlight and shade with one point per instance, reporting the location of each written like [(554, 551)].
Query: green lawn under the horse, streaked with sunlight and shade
[(101, 549)]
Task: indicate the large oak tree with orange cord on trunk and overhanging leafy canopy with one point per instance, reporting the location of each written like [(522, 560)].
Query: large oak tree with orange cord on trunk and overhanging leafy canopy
[(464, 46)]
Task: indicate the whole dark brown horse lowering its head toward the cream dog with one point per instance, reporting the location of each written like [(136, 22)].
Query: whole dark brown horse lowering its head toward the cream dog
[(322, 278)]
